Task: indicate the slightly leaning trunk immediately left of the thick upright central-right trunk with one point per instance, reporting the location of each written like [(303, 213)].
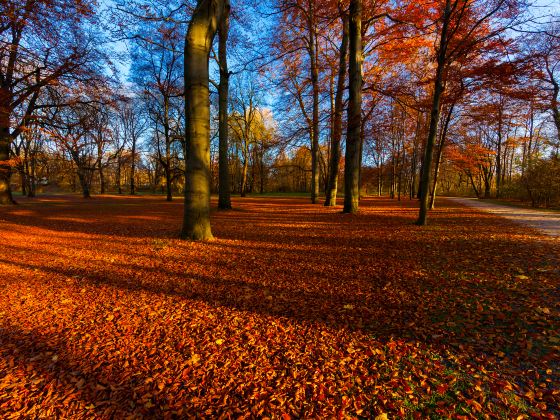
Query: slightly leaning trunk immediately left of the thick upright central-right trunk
[(332, 182)]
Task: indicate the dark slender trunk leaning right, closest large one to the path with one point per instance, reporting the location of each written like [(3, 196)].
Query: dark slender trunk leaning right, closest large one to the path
[(434, 120)]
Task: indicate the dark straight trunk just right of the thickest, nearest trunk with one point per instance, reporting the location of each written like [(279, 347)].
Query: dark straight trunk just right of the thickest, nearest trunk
[(224, 186)]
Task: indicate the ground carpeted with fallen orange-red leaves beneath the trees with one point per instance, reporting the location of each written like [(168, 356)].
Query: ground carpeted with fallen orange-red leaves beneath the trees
[(294, 311)]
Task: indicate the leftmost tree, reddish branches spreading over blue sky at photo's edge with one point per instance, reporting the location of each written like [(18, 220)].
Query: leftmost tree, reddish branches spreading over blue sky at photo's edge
[(35, 54)]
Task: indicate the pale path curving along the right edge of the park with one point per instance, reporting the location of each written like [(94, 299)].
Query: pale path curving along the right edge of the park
[(546, 222)]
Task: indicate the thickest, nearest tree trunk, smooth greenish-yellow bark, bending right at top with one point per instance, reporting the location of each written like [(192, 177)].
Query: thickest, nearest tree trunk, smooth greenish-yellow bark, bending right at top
[(200, 34)]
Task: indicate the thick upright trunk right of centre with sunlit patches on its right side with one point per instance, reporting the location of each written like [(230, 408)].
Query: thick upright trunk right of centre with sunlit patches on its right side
[(353, 137)]
